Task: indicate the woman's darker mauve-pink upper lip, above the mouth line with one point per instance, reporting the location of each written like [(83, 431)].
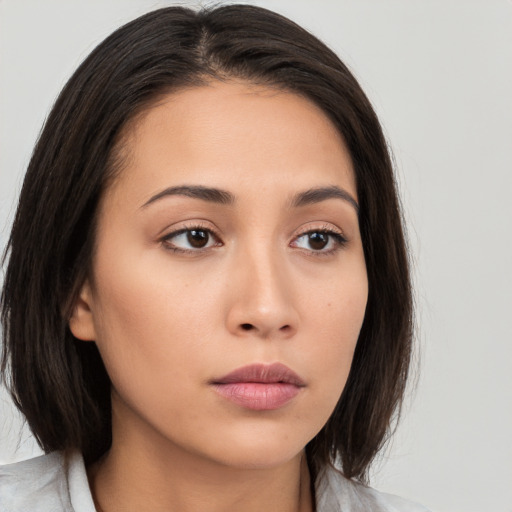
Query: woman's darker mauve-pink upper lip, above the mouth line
[(262, 373)]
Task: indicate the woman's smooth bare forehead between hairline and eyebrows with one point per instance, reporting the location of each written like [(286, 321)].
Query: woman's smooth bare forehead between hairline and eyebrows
[(235, 134)]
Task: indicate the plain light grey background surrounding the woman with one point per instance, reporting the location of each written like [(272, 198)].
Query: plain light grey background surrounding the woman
[(440, 76)]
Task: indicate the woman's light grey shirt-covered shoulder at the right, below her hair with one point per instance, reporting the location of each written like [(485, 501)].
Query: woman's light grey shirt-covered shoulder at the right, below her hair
[(336, 493)]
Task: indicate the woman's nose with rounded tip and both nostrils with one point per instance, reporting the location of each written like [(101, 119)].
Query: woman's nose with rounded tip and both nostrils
[(262, 297)]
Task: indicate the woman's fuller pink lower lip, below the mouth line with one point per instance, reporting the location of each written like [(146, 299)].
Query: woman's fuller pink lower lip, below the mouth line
[(258, 396)]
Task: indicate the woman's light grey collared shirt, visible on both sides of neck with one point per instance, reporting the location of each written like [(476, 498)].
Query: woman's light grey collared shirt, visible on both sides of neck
[(53, 483)]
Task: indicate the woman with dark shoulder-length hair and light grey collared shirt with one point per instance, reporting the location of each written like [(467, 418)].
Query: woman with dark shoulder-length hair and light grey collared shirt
[(207, 303)]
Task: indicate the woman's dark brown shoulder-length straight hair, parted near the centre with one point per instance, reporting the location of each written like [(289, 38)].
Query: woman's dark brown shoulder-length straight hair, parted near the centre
[(58, 382)]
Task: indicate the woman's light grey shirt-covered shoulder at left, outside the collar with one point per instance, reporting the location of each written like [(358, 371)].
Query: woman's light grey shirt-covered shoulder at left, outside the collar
[(38, 484)]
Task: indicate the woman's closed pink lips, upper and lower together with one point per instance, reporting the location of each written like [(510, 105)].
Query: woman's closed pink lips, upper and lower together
[(260, 387)]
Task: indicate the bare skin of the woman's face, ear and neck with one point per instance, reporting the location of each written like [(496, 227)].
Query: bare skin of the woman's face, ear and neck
[(169, 318)]
